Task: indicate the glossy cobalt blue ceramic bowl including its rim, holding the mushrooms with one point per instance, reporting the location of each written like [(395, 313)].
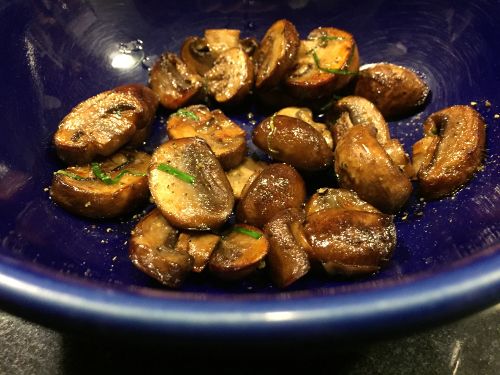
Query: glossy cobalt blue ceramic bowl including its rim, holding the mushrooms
[(67, 271)]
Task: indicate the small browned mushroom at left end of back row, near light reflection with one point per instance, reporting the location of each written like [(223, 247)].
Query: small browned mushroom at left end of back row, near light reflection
[(173, 82)]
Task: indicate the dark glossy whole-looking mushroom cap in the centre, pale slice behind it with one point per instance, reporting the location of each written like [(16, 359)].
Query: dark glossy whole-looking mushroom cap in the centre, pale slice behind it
[(291, 140)]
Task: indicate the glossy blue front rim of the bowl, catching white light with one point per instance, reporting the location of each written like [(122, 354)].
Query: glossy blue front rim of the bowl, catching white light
[(430, 299)]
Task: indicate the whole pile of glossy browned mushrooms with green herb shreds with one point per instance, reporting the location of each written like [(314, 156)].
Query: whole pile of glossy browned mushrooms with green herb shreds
[(219, 210)]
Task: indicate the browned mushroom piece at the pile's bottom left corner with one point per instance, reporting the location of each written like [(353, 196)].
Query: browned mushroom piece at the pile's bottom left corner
[(153, 249)]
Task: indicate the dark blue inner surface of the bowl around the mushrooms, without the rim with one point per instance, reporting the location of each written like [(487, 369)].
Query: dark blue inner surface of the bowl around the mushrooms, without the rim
[(59, 54)]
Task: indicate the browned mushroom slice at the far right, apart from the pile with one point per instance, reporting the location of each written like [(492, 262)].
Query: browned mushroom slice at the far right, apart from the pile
[(454, 151)]
